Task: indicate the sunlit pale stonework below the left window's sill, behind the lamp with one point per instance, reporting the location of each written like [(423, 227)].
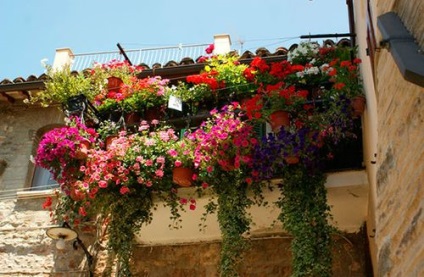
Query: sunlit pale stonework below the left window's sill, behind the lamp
[(26, 250)]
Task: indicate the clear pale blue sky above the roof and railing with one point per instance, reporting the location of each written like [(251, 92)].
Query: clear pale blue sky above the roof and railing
[(31, 30)]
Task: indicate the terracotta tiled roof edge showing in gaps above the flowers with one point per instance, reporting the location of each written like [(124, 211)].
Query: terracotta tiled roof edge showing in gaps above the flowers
[(19, 88)]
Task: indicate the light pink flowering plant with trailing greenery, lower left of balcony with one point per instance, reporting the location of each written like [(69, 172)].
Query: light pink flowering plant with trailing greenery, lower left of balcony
[(118, 184)]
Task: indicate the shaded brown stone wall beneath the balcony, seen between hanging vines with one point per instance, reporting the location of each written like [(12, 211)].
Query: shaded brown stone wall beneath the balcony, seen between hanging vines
[(268, 256)]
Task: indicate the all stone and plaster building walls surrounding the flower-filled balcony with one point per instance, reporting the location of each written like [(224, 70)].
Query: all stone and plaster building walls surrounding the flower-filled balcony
[(386, 197)]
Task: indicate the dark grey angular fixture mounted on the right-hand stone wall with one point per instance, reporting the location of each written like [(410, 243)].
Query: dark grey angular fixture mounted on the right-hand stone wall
[(403, 47)]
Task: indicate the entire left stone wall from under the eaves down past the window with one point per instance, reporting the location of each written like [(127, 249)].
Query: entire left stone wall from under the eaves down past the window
[(25, 250)]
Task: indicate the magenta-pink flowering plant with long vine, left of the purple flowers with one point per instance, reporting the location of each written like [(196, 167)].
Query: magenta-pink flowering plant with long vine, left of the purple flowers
[(222, 155)]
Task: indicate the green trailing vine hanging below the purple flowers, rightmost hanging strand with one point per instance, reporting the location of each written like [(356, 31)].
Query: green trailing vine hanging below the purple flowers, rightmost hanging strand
[(305, 214)]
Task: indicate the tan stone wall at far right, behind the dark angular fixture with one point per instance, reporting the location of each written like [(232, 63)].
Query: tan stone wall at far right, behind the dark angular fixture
[(400, 158)]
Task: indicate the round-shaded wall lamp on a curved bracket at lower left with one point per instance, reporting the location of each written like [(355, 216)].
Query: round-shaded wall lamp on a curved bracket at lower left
[(66, 233)]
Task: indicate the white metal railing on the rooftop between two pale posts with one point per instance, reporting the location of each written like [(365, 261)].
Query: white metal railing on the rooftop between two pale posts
[(148, 56)]
